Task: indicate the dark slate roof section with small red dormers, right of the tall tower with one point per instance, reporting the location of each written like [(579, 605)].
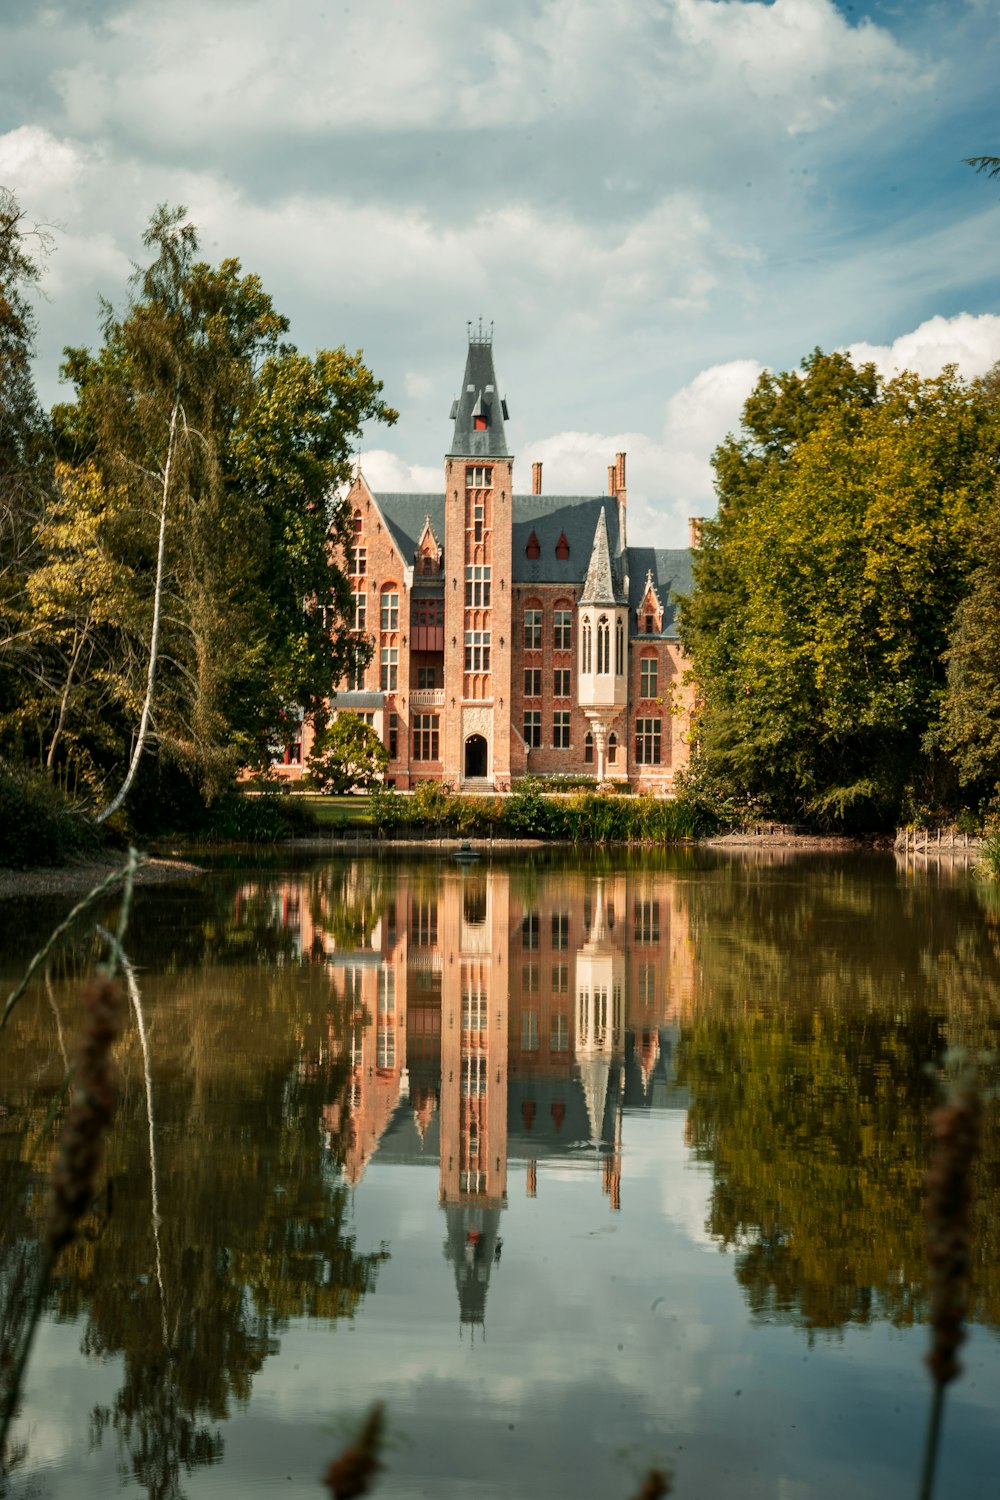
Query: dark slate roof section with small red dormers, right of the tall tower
[(555, 517)]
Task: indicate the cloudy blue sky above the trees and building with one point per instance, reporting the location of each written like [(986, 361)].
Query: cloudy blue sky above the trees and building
[(650, 202)]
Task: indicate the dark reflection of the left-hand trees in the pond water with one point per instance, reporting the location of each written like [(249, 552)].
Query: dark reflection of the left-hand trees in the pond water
[(254, 1216)]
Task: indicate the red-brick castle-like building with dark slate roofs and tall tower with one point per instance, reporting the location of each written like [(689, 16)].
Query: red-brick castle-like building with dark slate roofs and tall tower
[(513, 634)]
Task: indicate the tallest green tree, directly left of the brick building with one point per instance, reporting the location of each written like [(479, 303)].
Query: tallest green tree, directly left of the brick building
[(230, 446)]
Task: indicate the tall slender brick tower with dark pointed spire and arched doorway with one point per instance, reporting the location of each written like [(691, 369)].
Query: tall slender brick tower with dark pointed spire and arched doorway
[(478, 595)]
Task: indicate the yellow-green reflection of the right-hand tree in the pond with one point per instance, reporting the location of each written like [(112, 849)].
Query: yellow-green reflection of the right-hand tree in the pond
[(819, 1006)]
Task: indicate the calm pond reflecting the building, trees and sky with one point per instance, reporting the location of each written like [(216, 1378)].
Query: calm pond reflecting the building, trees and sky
[(581, 1165)]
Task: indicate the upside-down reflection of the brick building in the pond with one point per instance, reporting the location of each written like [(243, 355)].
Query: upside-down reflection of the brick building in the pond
[(494, 1024)]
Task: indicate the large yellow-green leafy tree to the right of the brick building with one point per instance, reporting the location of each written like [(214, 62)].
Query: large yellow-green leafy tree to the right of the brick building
[(827, 586)]
